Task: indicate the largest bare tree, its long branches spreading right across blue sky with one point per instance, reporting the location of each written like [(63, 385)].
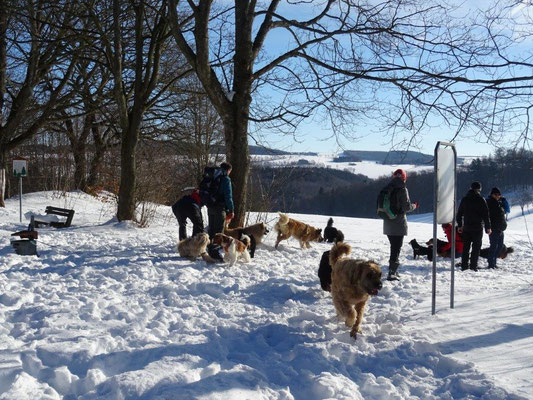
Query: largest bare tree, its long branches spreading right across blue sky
[(406, 63)]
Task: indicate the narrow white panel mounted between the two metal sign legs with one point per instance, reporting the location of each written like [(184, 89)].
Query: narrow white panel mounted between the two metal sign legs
[(446, 184)]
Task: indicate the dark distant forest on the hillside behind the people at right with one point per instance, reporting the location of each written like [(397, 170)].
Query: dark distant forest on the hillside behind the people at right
[(328, 191)]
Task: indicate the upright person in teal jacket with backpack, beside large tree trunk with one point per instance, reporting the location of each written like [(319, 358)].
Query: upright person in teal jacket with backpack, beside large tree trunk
[(223, 209)]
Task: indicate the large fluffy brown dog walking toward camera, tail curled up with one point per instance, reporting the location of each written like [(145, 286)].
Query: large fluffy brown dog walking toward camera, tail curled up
[(352, 284)]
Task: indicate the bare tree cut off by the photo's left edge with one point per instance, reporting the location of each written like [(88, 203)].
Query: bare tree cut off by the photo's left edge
[(37, 58)]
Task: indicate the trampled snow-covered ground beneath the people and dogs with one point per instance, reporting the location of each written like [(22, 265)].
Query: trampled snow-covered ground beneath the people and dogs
[(110, 311)]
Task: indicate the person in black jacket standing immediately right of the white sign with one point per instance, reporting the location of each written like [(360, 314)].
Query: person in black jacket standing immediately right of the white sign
[(472, 216)]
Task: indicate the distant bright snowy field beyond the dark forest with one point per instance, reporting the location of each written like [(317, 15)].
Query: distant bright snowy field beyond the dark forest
[(371, 169)]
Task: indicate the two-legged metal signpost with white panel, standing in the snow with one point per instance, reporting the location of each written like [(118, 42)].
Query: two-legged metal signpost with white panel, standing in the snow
[(444, 207)]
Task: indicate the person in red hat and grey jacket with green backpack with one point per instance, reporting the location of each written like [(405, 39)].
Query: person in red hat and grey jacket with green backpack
[(396, 228)]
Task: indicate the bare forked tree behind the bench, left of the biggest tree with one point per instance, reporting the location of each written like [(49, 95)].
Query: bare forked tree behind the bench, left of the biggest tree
[(133, 36)]
